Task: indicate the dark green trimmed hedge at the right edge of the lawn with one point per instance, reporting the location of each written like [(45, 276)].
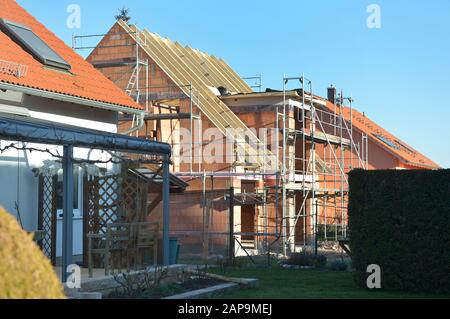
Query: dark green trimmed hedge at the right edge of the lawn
[(400, 220)]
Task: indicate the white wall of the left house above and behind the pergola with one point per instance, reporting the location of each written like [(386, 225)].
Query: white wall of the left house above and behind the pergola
[(18, 182)]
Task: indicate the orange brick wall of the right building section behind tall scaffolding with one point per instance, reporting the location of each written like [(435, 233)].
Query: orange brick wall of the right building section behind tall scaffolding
[(258, 113)]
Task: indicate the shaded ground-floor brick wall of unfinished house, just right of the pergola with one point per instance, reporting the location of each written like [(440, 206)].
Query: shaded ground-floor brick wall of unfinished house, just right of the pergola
[(189, 212)]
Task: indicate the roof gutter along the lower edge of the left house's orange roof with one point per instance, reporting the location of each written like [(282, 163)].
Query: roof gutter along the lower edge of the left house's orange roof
[(71, 99)]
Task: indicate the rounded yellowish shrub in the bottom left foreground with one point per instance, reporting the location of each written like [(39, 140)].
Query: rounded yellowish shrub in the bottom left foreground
[(25, 273)]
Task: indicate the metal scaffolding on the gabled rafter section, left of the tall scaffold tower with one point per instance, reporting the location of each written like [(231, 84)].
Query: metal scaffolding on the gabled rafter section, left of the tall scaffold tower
[(162, 102)]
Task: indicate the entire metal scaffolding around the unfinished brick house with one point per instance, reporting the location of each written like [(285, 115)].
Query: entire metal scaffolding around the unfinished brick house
[(294, 176)]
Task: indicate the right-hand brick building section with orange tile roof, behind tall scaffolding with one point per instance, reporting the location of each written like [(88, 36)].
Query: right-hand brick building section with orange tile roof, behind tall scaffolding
[(343, 139)]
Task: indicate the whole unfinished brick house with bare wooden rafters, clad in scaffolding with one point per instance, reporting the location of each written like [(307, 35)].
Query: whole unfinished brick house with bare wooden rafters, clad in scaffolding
[(265, 170)]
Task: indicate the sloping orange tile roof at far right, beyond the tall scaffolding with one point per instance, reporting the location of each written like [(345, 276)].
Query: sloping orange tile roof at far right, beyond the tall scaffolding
[(407, 155)]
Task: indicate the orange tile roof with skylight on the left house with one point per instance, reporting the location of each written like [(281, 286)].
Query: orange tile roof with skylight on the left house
[(83, 82)]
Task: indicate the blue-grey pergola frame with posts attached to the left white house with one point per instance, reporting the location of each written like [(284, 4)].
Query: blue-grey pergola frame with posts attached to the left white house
[(41, 132)]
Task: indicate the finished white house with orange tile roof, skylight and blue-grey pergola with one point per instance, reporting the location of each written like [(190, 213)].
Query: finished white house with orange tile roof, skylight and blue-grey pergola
[(63, 167)]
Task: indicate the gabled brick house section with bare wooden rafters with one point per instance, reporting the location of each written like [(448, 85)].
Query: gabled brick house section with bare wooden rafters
[(178, 97)]
